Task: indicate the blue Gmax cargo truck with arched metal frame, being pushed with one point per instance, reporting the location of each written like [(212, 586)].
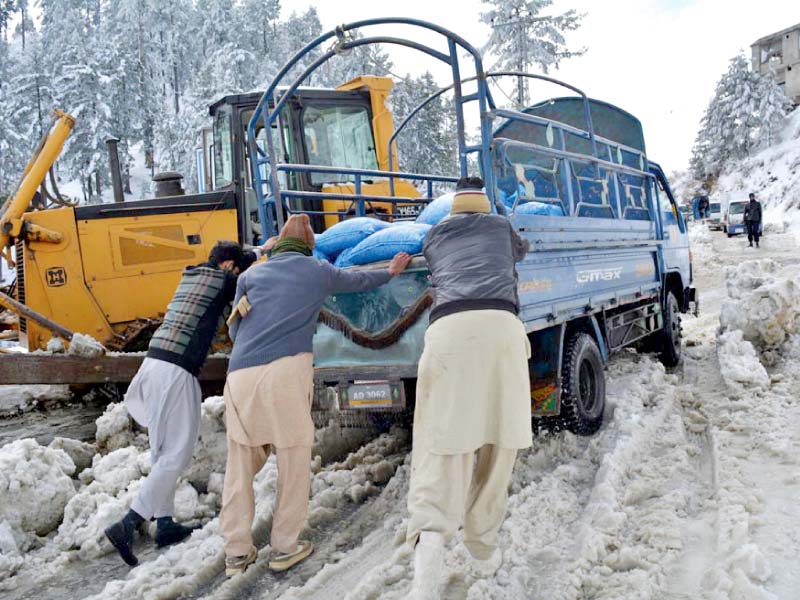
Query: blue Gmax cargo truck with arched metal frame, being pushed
[(609, 263)]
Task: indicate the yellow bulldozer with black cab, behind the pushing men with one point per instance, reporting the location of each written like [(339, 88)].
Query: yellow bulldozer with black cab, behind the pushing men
[(109, 270)]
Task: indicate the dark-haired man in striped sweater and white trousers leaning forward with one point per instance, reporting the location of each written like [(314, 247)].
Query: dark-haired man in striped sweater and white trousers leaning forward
[(165, 395)]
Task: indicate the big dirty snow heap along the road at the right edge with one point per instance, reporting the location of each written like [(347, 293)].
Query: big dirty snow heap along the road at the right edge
[(761, 302)]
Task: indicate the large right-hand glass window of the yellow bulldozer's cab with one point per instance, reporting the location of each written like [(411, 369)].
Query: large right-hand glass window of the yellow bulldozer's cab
[(338, 136)]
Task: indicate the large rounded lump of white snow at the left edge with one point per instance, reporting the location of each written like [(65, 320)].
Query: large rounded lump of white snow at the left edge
[(35, 486)]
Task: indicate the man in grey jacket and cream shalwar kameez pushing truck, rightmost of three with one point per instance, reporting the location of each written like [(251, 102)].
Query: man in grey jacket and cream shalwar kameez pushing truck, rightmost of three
[(473, 401)]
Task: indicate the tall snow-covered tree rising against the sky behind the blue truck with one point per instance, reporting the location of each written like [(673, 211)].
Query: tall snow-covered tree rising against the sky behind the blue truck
[(522, 37)]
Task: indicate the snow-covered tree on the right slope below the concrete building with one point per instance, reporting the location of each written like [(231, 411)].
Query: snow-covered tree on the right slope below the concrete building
[(743, 115)]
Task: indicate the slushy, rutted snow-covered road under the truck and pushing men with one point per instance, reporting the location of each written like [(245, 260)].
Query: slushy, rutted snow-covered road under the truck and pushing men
[(690, 489)]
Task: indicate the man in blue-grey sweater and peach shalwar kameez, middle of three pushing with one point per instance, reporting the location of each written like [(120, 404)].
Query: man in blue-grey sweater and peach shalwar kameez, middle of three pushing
[(269, 385)]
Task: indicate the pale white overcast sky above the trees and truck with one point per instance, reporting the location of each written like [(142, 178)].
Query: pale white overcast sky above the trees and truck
[(658, 59)]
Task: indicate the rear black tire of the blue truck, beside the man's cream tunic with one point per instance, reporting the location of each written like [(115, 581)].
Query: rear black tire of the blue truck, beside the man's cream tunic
[(583, 387)]
